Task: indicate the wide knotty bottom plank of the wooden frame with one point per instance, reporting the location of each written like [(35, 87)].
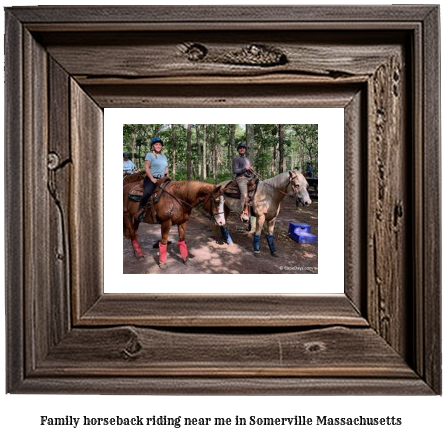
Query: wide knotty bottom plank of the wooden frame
[(129, 351)]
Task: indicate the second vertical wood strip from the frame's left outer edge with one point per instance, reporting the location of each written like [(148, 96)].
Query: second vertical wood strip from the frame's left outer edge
[(36, 200)]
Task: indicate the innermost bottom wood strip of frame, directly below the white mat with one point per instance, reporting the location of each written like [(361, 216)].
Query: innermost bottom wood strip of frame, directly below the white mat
[(234, 310)]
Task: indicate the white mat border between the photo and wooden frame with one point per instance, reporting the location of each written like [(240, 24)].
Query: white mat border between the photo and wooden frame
[(330, 275)]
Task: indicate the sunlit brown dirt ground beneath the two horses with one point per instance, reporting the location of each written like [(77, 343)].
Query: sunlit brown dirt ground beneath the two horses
[(209, 255)]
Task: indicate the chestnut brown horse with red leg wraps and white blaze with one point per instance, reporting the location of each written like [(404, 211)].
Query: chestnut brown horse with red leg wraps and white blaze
[(174, 207)]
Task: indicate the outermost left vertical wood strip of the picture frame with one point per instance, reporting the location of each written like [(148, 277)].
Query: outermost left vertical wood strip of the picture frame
[(14, 194)]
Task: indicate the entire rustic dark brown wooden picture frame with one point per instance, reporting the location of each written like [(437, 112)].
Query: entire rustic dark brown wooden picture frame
[(64, 65)]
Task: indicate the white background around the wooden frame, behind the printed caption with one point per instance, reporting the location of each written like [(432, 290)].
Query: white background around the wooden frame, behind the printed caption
[(20, 414)]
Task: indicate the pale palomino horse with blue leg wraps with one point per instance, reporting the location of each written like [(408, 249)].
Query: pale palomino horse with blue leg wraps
[(266, 204)]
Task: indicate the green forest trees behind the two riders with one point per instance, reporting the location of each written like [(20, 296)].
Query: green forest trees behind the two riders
[(205, 152)]
